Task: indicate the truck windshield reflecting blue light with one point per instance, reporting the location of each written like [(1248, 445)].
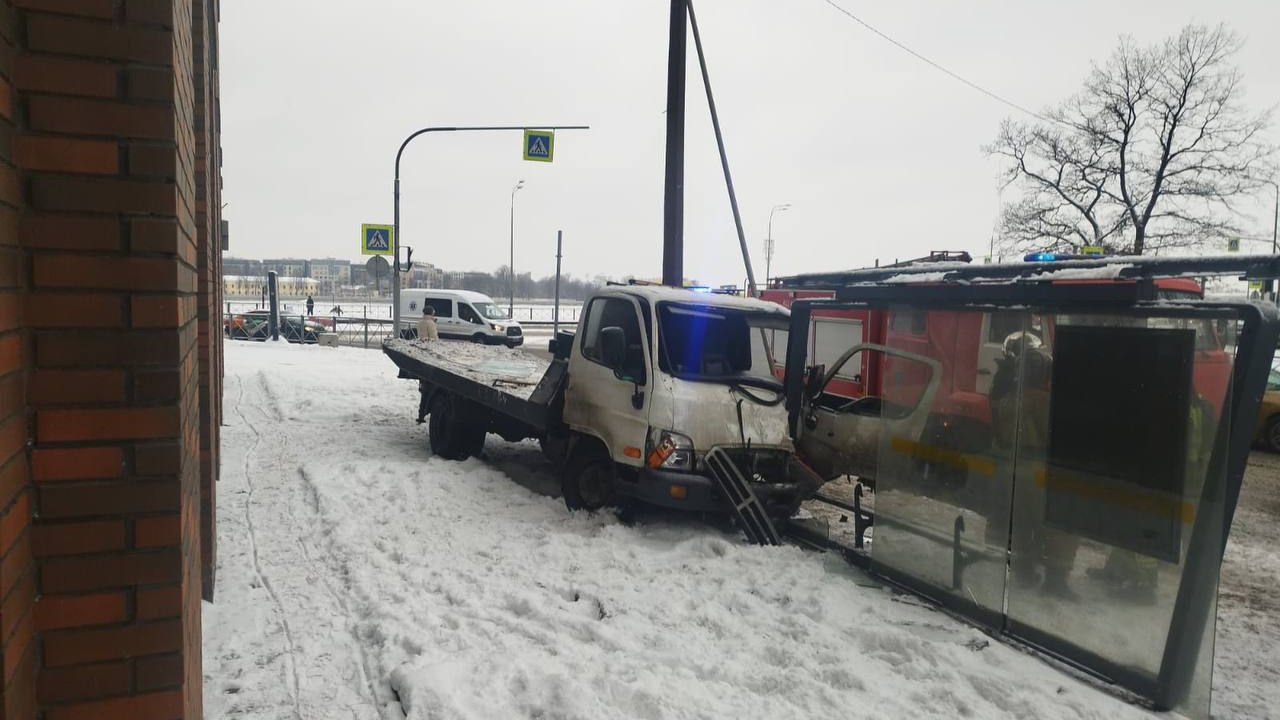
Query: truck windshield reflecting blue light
[(717, 344)]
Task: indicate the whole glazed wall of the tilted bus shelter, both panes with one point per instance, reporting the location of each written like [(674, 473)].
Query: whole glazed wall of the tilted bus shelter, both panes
[(1060, 480)]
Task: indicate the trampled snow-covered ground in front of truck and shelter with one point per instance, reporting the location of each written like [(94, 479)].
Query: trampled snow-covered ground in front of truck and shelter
[(360, 577)]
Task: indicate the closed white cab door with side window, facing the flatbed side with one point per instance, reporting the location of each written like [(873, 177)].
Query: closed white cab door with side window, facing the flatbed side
[(606, 403)]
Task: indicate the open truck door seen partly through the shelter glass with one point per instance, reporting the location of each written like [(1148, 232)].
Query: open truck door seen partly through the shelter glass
[(843, 438)]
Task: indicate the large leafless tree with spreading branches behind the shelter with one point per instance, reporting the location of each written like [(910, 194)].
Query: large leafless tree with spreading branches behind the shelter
[(1154, 153)]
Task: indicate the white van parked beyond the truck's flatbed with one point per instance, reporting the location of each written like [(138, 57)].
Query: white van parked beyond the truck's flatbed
[(463, 315)]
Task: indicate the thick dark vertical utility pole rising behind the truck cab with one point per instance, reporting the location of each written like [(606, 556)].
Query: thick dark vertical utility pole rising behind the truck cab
[(674, 200)]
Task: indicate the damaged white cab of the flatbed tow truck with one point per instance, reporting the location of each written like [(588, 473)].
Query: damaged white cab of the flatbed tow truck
[(659, 379)]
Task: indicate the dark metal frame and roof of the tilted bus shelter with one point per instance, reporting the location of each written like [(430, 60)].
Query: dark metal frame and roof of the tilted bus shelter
[(1073, 286)]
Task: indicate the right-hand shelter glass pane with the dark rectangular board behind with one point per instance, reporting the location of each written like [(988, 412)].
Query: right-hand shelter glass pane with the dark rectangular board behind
[(1116, 490)]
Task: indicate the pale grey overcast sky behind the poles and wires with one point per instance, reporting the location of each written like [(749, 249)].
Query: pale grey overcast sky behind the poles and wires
[(879, 154)]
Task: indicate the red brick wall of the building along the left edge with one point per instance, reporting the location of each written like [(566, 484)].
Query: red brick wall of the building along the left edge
[(111, 356)]
